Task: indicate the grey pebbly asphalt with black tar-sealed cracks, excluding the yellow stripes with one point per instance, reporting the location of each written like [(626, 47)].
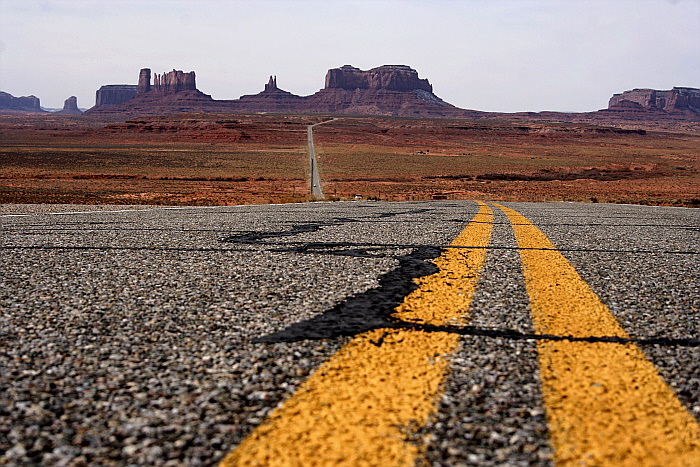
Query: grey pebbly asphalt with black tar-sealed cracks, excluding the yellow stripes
[(164, 336)]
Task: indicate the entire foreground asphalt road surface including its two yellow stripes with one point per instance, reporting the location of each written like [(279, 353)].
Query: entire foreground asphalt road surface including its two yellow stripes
[(446, 333)]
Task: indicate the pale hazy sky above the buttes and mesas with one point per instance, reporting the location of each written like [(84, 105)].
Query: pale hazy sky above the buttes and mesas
[(492, 55)]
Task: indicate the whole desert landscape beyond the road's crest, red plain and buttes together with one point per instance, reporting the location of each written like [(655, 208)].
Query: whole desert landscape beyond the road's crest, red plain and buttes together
[(164, 142)]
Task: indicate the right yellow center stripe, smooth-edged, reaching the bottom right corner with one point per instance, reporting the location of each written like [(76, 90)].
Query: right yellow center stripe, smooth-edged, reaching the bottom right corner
[(606, 403)]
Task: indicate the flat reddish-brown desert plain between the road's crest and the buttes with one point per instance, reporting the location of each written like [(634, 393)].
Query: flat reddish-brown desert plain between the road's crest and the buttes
[(217, 159)]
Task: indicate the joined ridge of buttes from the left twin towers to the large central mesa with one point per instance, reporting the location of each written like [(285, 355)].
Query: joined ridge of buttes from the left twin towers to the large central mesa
[(386, 90)]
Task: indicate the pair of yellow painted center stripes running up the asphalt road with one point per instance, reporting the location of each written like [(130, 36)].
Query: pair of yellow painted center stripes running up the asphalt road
[(606, 404)]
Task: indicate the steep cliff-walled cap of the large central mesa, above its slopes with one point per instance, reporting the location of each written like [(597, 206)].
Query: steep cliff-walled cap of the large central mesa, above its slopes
[(389, 77)]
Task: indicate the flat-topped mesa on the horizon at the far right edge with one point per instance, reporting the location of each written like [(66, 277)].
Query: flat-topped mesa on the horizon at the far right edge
[(678, 98)]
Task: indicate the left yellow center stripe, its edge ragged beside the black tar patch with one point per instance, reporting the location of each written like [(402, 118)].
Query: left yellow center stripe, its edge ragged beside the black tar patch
[(360, 407)]
